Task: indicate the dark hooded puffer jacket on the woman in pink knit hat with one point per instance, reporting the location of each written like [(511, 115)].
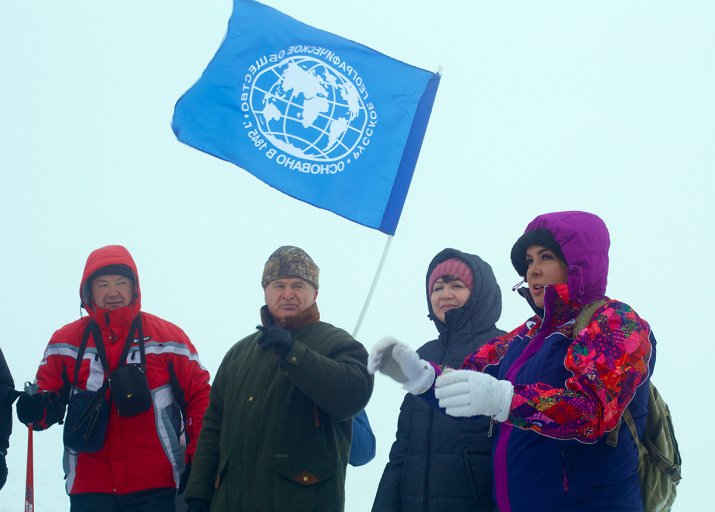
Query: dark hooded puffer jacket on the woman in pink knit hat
[(438, 463)]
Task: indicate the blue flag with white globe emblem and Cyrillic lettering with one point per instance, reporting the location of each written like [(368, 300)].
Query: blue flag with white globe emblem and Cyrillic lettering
[(321, 118)]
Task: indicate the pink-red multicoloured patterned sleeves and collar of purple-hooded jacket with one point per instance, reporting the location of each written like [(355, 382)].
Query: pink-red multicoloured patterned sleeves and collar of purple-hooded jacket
[(608, 361)]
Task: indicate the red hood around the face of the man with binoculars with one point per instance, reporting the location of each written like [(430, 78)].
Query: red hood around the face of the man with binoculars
[(109, 255)]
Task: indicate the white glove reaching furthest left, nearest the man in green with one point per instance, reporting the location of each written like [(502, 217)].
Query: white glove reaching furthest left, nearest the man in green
[(400, 362)]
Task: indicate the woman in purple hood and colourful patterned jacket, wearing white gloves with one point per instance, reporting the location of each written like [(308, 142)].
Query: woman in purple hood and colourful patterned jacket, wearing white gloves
[(553, 394)]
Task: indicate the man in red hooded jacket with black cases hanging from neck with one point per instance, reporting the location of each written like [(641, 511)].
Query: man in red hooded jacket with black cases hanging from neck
[(138, 466)]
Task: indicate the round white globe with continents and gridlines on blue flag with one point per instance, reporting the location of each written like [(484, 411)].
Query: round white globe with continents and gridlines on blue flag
[(307, 109)]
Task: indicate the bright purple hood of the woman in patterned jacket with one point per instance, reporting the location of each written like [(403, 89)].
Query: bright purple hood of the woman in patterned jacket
[(585, 241)]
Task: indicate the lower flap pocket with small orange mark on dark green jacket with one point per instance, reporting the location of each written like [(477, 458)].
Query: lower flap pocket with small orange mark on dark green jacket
[(304, 483)]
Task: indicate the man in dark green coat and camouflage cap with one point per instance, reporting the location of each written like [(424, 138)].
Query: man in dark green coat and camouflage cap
[(277, 431)]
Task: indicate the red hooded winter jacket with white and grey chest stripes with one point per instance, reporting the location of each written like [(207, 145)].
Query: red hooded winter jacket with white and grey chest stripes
[(140, 452)]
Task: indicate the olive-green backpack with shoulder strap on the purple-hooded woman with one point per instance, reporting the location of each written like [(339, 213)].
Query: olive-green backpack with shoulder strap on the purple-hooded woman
[(659, 458)]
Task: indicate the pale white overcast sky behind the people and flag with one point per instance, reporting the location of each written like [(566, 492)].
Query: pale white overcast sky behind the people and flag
[(546, 106)]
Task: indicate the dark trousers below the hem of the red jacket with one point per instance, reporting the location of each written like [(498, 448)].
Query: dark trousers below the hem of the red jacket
[(150, 500)]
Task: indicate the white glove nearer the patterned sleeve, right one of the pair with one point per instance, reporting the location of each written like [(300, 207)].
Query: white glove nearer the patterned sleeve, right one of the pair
[(471, 393)]
